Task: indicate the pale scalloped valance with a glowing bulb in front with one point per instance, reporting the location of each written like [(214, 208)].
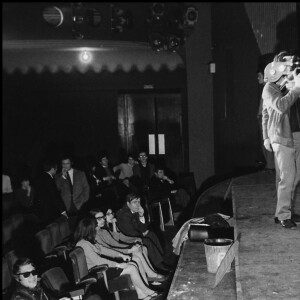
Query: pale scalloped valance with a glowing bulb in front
[(64, 55)]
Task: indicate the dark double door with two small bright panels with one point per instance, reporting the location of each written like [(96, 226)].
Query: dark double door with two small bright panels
[(153, 121)]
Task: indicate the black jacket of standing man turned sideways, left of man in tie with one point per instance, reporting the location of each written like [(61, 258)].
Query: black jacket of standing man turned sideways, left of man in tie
[(49, 202)]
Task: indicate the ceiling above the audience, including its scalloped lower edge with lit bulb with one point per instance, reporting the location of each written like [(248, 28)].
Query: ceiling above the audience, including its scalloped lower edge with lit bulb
[(29, 43)]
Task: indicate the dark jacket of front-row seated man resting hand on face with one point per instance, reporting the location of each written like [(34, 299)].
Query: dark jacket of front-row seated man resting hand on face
[(129, 223)]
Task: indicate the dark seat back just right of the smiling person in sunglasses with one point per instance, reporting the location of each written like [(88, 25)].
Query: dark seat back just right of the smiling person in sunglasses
[(55, 281)]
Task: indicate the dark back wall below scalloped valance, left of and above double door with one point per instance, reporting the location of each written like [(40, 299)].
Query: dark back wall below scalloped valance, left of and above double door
[(50, 114)]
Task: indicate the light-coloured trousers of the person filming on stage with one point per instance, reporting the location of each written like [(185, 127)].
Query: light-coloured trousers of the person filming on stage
[(287, 163)]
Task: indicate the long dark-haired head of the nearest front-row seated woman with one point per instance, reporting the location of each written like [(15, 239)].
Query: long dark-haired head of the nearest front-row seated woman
[(86, 229)]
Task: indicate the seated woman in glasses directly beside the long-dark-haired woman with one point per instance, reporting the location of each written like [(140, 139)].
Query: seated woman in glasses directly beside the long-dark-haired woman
[(136, 250)]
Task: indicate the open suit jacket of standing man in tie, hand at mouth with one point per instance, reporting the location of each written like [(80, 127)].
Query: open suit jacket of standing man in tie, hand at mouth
[(81, 189)]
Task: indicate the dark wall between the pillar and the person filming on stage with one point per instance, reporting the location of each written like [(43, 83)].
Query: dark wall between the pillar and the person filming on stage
[(236, 51)]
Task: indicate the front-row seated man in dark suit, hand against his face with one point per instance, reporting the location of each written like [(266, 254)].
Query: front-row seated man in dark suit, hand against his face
[(131, 222)]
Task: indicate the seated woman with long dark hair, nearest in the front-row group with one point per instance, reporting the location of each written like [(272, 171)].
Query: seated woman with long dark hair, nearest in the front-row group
[(95, 254)]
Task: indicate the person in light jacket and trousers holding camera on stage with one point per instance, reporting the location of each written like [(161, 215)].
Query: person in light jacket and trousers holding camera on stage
[(281, 132)]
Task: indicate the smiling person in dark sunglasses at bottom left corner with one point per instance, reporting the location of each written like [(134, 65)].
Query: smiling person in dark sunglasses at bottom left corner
[(27, 286)]
